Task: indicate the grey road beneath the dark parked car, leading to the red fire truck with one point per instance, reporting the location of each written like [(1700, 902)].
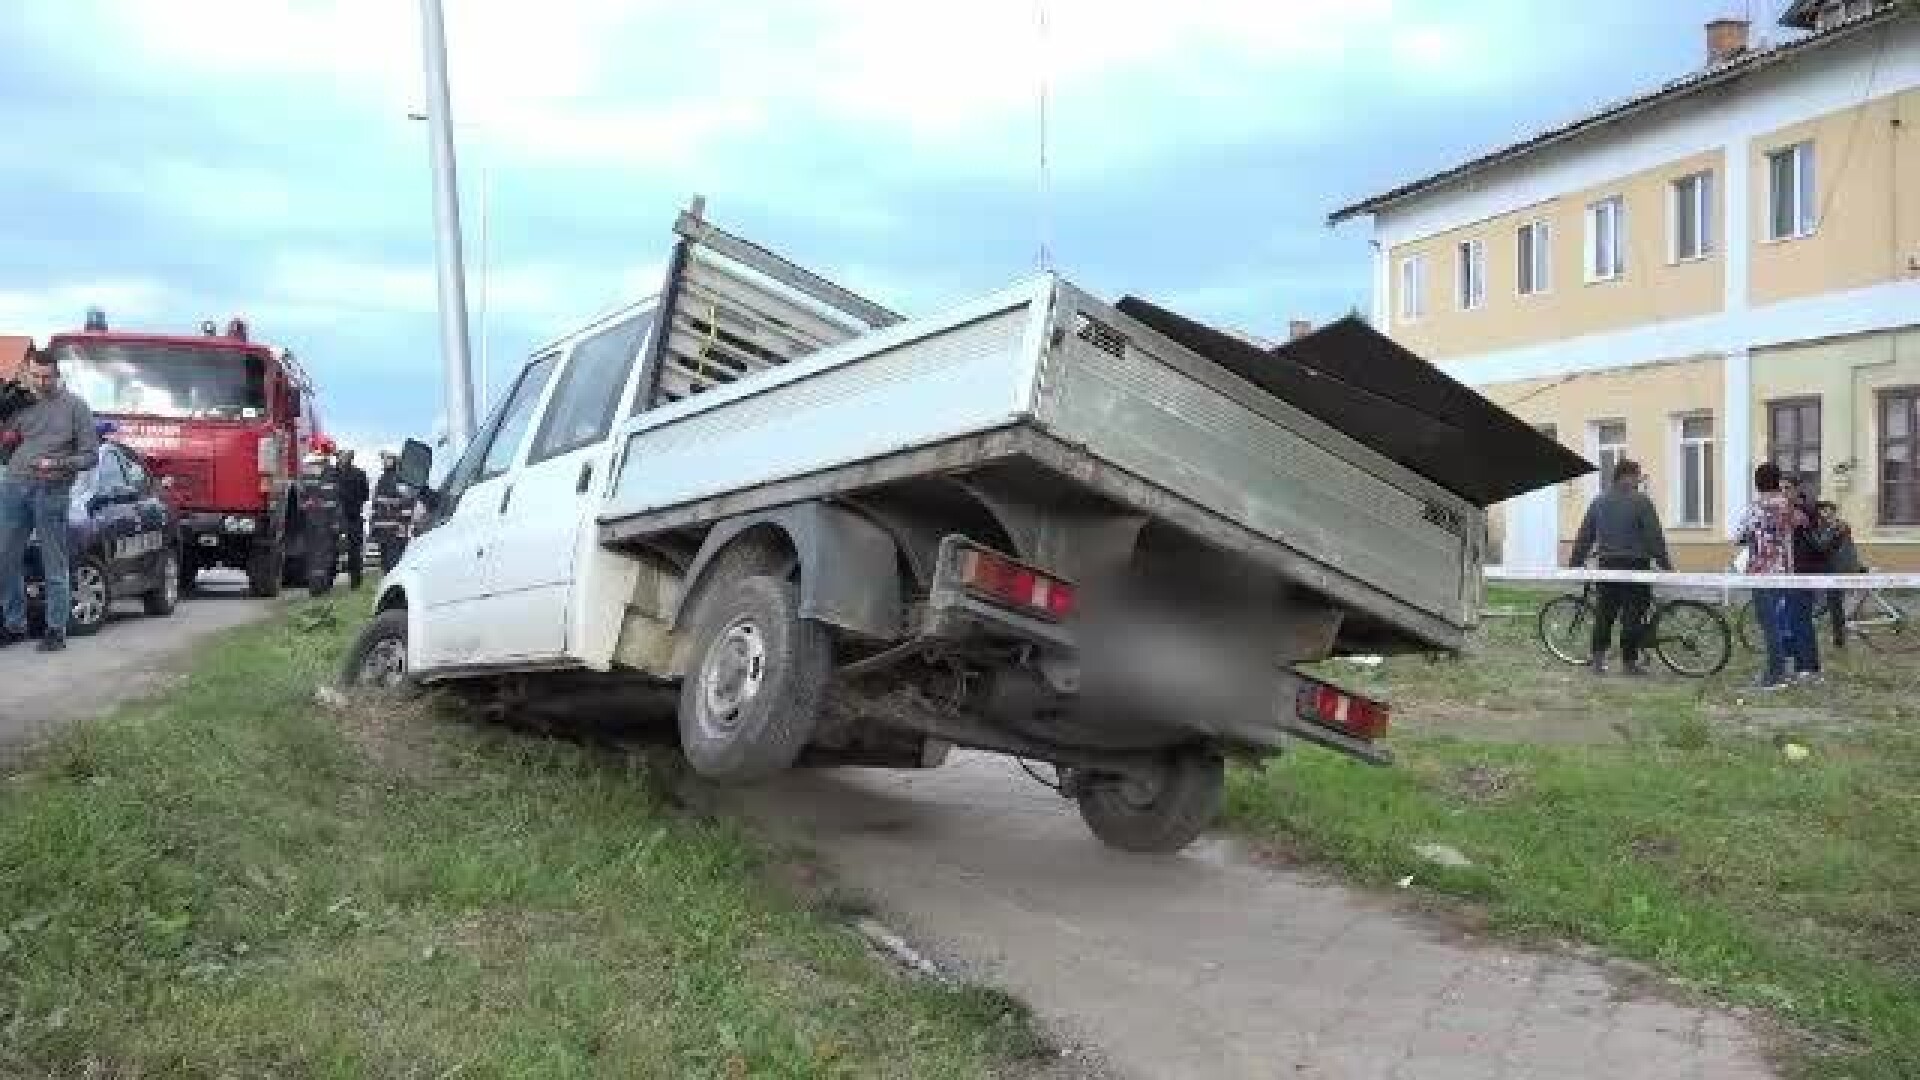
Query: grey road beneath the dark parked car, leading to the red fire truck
[(130, 658)]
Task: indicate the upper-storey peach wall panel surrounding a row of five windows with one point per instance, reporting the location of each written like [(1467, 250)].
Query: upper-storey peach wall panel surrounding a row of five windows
[(1652, 287)]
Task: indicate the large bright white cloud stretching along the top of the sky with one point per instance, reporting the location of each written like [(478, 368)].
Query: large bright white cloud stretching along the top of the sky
[(688, 91)]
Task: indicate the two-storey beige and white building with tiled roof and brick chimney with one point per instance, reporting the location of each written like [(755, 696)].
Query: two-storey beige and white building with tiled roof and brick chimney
[(1702, 278)]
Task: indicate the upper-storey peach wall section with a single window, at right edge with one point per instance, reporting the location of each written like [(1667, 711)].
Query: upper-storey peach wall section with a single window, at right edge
[(1867, 184)]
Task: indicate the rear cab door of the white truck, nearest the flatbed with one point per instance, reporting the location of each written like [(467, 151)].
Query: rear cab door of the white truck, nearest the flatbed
[(537, 549)]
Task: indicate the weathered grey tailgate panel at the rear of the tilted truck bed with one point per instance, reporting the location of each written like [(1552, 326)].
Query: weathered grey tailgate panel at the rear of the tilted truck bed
[(1141, 414)]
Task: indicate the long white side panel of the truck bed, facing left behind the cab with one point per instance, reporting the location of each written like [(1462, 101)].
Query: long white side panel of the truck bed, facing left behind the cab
[(807, 420)]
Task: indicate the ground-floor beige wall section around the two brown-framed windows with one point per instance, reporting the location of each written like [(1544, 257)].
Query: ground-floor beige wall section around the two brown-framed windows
[(1846, 376)]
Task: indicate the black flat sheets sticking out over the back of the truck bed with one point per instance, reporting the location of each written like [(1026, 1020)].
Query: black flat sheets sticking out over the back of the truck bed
[(1366, 385)]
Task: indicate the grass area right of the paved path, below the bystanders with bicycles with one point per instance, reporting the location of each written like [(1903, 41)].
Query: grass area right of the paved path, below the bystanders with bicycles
[(1666, 822)]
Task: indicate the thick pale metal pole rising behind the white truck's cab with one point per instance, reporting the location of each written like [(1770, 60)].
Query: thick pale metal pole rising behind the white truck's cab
[(448, 257)]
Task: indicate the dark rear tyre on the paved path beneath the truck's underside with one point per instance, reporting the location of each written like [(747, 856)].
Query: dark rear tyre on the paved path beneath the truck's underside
[(1157, 816)]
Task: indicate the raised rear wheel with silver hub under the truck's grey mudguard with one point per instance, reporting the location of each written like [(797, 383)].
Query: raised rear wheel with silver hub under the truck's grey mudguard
[(754, 693)]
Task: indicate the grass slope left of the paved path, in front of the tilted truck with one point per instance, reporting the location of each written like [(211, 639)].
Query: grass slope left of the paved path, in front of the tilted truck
[(231, 881)]
